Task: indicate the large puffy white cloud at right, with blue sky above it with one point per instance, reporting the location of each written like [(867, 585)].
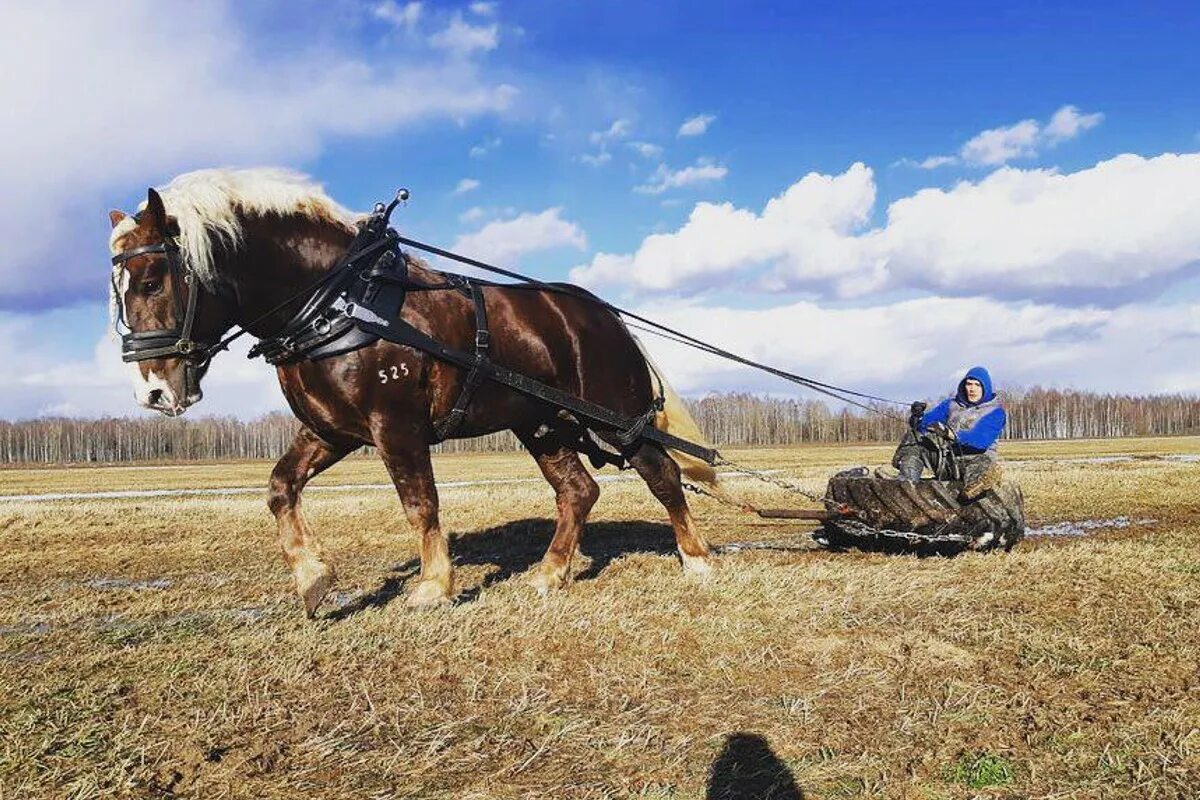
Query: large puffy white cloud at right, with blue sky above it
[(1096, 234)]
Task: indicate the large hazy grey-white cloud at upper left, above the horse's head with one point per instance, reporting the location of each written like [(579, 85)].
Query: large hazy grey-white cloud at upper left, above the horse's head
[(151, 94)]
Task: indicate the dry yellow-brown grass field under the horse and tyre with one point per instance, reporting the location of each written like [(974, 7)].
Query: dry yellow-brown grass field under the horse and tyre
[(152, 647)]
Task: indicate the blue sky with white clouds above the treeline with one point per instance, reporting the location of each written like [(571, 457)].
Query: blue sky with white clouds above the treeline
[(875, 195)]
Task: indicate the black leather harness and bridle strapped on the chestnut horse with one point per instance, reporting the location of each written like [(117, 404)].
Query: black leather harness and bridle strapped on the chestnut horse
[(359, 302)]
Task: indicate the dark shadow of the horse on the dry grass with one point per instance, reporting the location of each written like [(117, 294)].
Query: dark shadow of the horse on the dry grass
[(514, 549)]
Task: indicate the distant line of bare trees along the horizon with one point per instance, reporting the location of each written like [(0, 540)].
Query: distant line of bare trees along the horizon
[(725, 419)]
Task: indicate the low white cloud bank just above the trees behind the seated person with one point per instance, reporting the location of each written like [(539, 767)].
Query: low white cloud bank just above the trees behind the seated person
[(920, 348)]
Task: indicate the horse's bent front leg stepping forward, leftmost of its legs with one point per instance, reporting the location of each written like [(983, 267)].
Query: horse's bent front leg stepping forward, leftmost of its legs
[(308, 458)]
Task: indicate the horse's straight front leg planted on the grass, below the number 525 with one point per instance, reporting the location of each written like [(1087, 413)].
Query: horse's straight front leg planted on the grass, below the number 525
[(412, 473)]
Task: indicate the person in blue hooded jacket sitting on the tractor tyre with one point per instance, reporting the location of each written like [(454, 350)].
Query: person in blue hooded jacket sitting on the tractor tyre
[(965, 428)]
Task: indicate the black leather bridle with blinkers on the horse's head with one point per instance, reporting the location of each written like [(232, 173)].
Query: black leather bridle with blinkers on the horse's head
[(165, 342)]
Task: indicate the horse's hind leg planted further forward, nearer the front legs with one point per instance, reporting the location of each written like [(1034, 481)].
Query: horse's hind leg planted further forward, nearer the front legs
[(575, 494)]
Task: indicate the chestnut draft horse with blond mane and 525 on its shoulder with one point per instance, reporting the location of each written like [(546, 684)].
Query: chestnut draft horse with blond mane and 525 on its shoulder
[(231, 248)]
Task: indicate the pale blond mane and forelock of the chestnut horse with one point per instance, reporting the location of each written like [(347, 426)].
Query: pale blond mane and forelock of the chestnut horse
[(212, 204)]
